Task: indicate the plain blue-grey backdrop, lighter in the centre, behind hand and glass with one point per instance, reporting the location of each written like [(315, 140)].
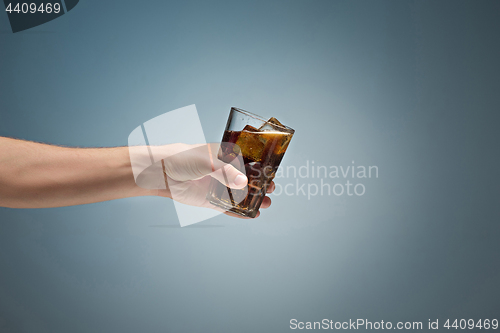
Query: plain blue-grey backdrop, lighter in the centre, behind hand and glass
[(412, 87)]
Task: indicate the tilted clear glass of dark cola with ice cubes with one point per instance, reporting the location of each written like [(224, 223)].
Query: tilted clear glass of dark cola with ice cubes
[(262, 144)]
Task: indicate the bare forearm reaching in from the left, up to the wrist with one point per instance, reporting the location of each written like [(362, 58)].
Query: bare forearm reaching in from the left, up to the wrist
[(34, 175)]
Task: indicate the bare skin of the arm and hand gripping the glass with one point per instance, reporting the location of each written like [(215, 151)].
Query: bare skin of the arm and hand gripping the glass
[(35, 175)]
